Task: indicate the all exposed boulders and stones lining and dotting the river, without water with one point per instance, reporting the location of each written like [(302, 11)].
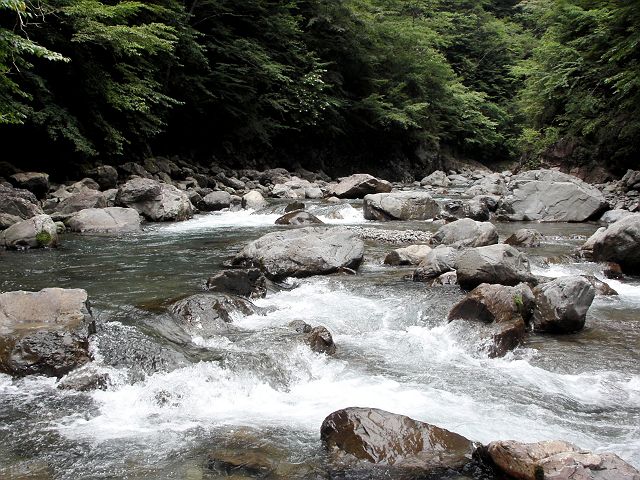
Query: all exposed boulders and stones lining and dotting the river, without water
[(48, 332)]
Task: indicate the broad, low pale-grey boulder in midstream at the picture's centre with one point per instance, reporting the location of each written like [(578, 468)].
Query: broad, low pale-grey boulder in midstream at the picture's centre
[(303, 252)]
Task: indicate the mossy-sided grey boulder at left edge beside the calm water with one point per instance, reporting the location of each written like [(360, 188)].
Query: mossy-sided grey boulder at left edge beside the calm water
[(37, 232)]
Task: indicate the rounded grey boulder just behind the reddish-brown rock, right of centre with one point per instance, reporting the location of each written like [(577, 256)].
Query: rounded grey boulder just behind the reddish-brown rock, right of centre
[(501, 264)]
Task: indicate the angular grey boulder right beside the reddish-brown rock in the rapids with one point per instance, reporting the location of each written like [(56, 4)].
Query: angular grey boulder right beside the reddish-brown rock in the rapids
[(562, 304)]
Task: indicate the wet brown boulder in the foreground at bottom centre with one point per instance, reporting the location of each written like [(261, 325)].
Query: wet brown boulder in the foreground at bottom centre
[(388, 439)]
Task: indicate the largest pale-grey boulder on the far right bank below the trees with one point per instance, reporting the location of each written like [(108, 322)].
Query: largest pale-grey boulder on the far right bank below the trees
[(549, 196)]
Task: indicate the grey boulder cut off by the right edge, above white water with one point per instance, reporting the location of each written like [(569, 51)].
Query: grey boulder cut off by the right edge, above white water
[(619, 243)]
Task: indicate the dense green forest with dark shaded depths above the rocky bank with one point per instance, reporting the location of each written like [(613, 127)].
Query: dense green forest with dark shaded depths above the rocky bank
[(341, 85)]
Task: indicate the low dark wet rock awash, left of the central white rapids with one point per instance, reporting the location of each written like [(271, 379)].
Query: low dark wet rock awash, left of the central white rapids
[(208, 314)]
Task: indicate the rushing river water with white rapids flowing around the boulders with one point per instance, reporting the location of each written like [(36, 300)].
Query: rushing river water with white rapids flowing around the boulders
[(173, 399)]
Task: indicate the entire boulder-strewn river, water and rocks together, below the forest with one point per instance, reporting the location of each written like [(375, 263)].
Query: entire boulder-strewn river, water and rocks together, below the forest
[(204, 324)]
